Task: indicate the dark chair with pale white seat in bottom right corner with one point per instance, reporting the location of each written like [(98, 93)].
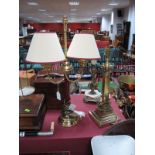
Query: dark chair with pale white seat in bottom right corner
[(118, 140)]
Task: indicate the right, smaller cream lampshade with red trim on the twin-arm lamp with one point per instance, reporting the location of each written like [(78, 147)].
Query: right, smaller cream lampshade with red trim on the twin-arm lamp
[(83, 46)]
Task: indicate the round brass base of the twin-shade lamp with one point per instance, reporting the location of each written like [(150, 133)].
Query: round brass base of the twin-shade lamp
[(69, 119)]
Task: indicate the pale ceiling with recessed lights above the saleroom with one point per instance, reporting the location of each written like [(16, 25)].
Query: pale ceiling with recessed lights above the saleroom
[(51, 11)]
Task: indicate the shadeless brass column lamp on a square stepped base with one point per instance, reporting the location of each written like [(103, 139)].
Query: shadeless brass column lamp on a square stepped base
[(104, 114)]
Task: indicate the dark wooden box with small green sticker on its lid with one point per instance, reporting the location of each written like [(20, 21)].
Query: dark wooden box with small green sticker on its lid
[(32, 109)]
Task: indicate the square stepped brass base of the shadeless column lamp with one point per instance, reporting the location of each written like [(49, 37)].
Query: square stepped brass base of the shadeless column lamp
[(104, 117)]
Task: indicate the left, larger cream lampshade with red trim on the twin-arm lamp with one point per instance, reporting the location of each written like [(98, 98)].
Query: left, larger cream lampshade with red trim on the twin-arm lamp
[(45, 48)]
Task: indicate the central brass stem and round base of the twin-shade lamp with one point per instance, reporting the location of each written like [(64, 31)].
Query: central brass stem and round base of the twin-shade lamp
[(67, 118)]
